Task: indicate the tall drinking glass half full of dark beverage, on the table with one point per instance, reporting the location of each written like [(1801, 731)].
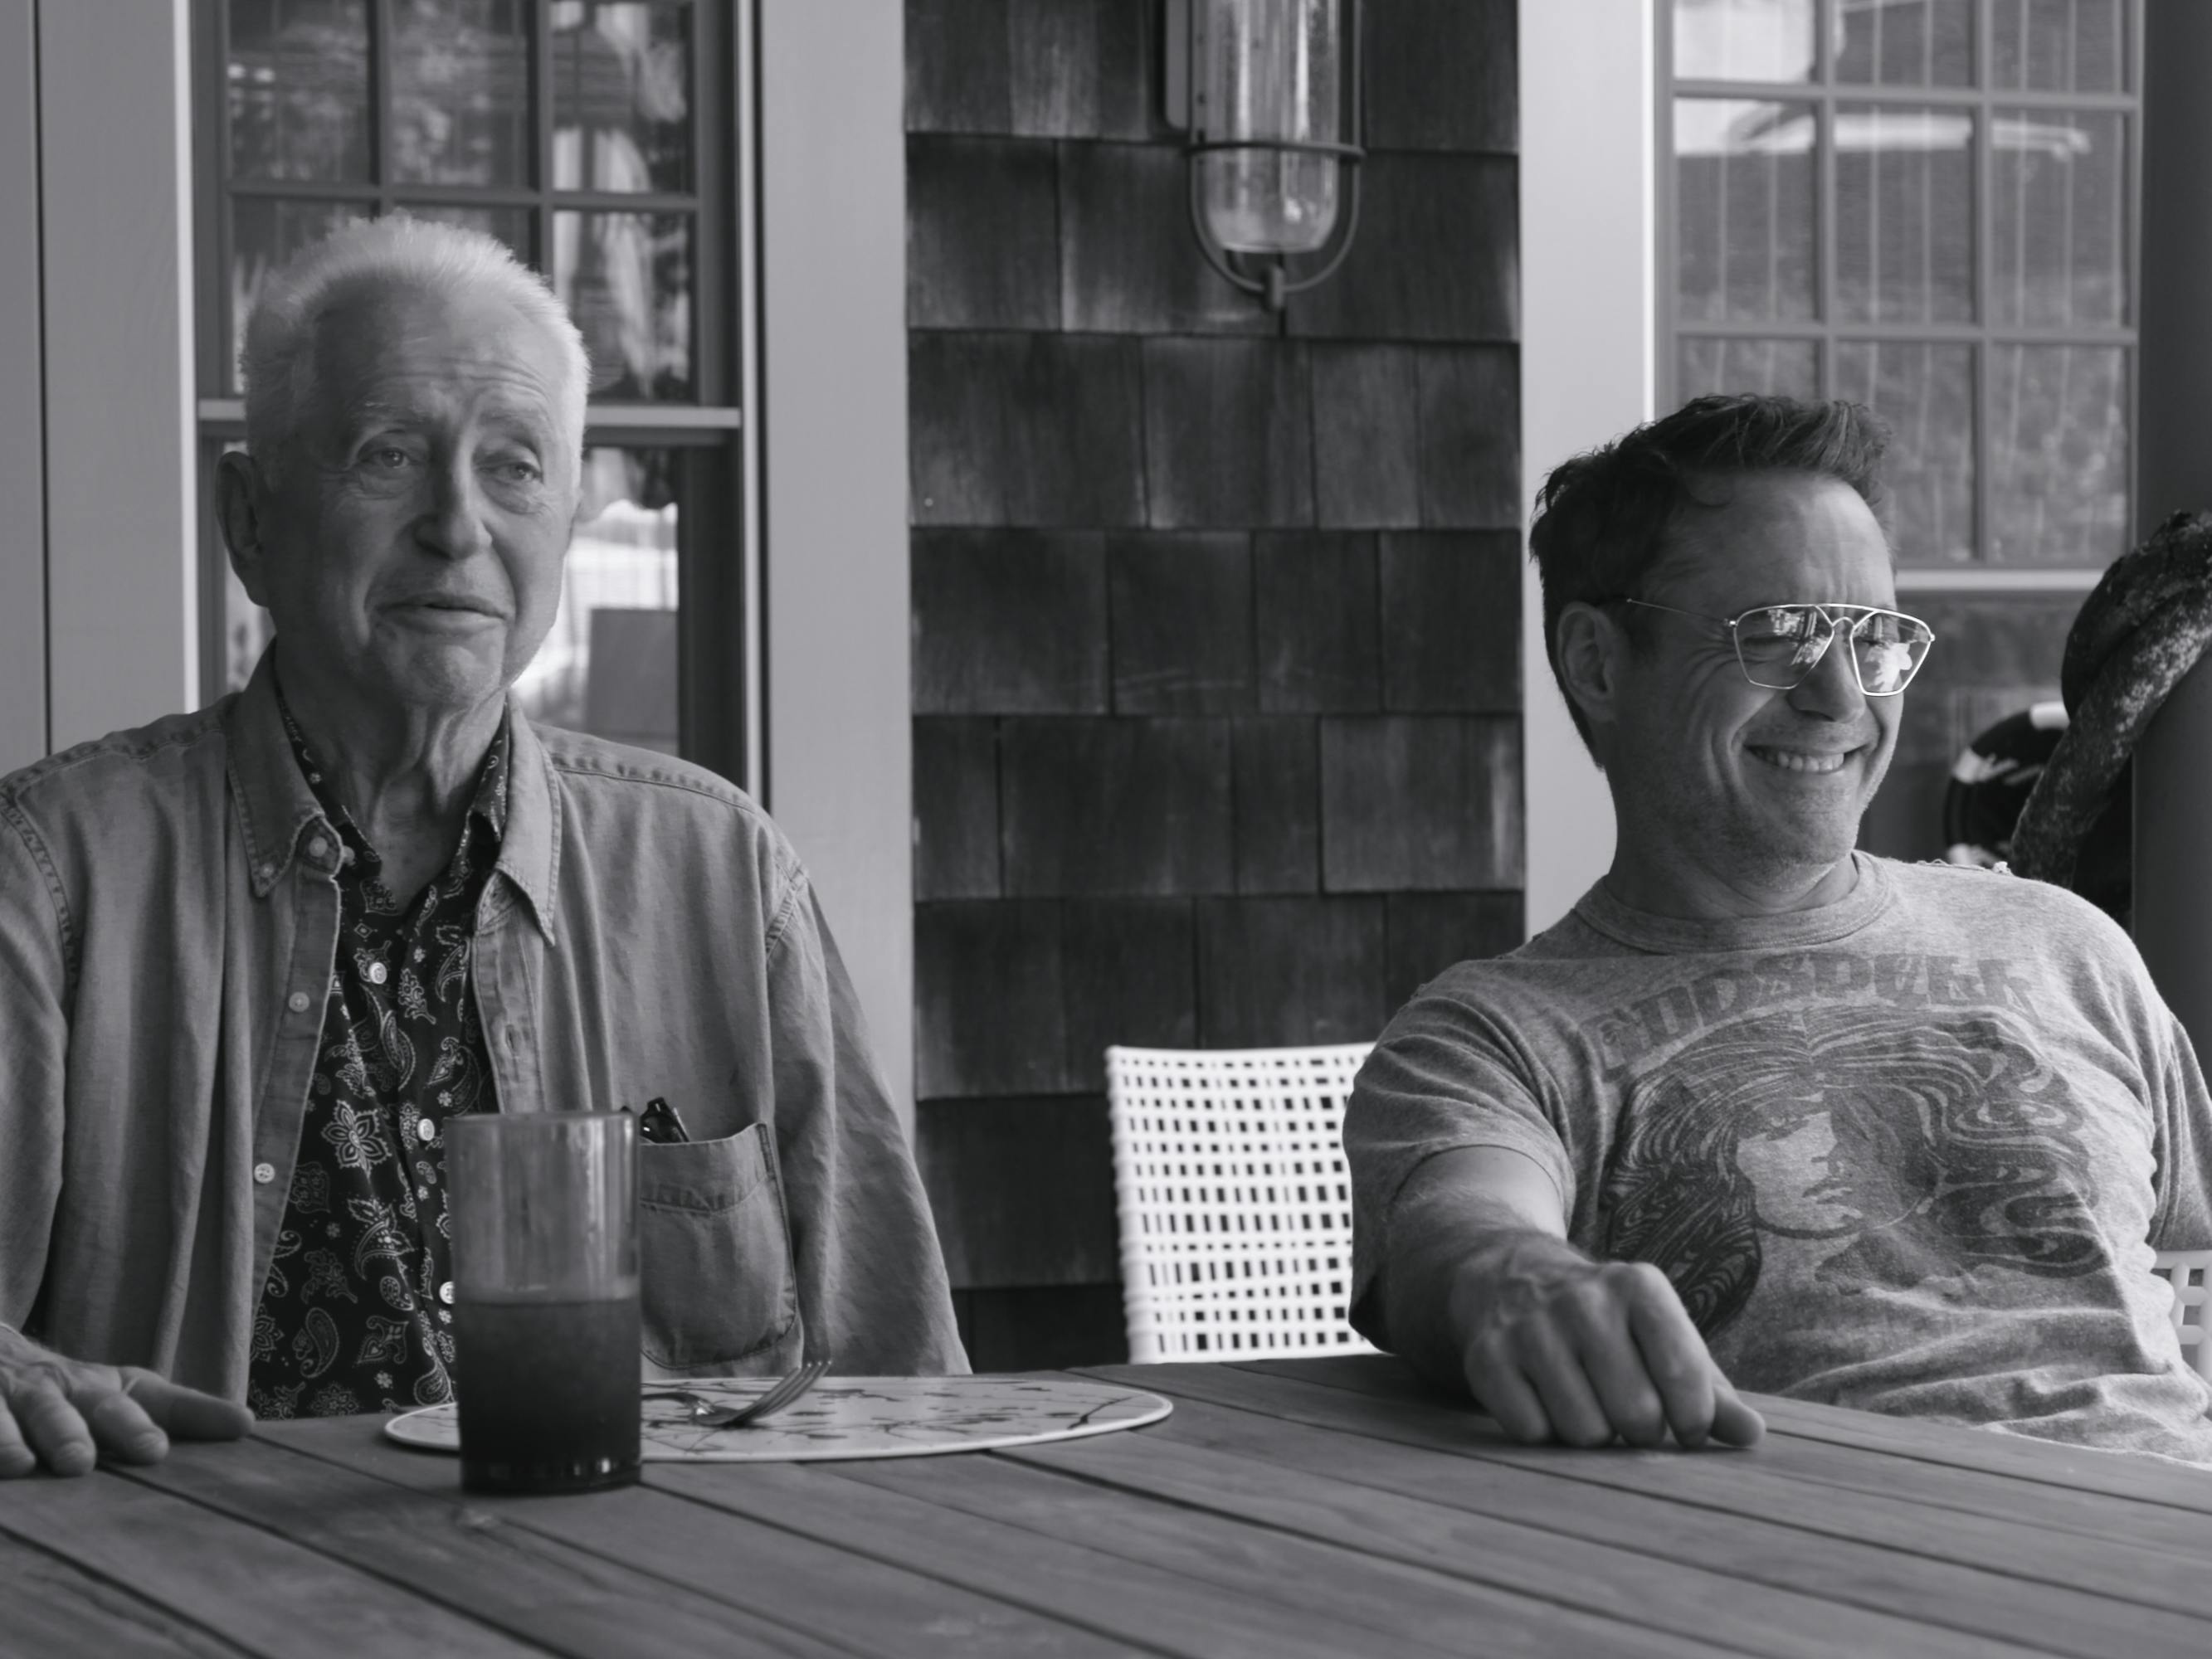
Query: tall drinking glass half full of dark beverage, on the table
[(545, 1300)]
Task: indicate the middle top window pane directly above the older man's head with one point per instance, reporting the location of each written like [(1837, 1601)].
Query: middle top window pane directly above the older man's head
[(461, 92)]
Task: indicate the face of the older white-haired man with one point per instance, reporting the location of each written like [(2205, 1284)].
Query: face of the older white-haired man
[(413, 541)]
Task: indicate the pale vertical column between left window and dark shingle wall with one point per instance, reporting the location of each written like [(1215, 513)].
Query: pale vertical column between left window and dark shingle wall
[(835, 457)]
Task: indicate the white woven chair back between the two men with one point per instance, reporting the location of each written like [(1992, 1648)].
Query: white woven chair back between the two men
[(1235, 1200)]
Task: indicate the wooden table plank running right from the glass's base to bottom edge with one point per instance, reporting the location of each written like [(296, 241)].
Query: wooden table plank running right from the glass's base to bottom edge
[(1114, 1596)]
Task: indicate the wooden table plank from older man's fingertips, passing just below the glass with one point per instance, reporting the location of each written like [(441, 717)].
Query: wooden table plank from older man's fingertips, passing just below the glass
[(539, 1589)]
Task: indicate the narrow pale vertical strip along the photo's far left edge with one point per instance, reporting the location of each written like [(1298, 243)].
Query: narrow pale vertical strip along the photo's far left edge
[(23, 439)]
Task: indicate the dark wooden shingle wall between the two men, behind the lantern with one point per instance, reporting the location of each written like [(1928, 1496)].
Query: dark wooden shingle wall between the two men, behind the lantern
[(1215, 616)]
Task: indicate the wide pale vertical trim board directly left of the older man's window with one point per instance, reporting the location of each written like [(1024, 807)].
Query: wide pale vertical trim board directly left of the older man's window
[(116, 147)]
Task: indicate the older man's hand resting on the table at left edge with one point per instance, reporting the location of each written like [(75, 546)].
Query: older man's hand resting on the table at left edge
[(70, 1415)]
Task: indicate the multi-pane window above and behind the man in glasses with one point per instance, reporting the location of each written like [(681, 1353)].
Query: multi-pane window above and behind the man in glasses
[(1923, 207)]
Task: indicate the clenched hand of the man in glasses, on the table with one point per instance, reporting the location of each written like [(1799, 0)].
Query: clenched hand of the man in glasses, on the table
[(1565, 1348)]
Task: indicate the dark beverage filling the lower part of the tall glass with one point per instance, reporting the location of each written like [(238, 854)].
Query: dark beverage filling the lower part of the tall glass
[(547, 1392)]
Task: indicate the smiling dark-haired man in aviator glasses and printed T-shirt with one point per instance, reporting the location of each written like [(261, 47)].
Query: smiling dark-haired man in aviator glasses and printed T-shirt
[(1766, 1112)]
